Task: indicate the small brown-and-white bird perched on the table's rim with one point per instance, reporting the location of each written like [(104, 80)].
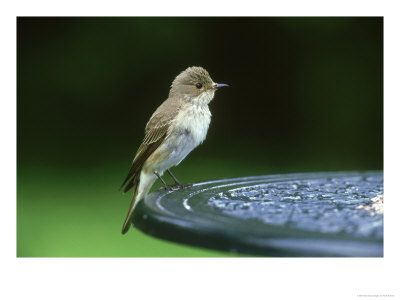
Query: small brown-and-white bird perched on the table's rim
[(177, 127)]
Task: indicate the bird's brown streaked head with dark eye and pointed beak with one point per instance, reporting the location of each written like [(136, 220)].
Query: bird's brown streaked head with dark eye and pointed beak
[(194, 84)]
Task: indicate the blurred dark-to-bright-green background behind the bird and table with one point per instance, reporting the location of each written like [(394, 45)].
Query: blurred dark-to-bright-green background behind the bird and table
[(306, 94)]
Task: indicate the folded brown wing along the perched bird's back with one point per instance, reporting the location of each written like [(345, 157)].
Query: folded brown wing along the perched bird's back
[(155, 133)]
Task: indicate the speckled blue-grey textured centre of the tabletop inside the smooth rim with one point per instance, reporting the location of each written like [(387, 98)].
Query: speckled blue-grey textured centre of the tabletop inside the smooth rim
[(327, 205)]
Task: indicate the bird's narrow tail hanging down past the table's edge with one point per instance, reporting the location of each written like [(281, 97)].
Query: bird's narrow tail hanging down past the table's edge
[(142, 184)]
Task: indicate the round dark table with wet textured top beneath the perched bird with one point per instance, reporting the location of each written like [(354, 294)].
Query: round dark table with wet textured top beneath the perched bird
[(308, 214)]
